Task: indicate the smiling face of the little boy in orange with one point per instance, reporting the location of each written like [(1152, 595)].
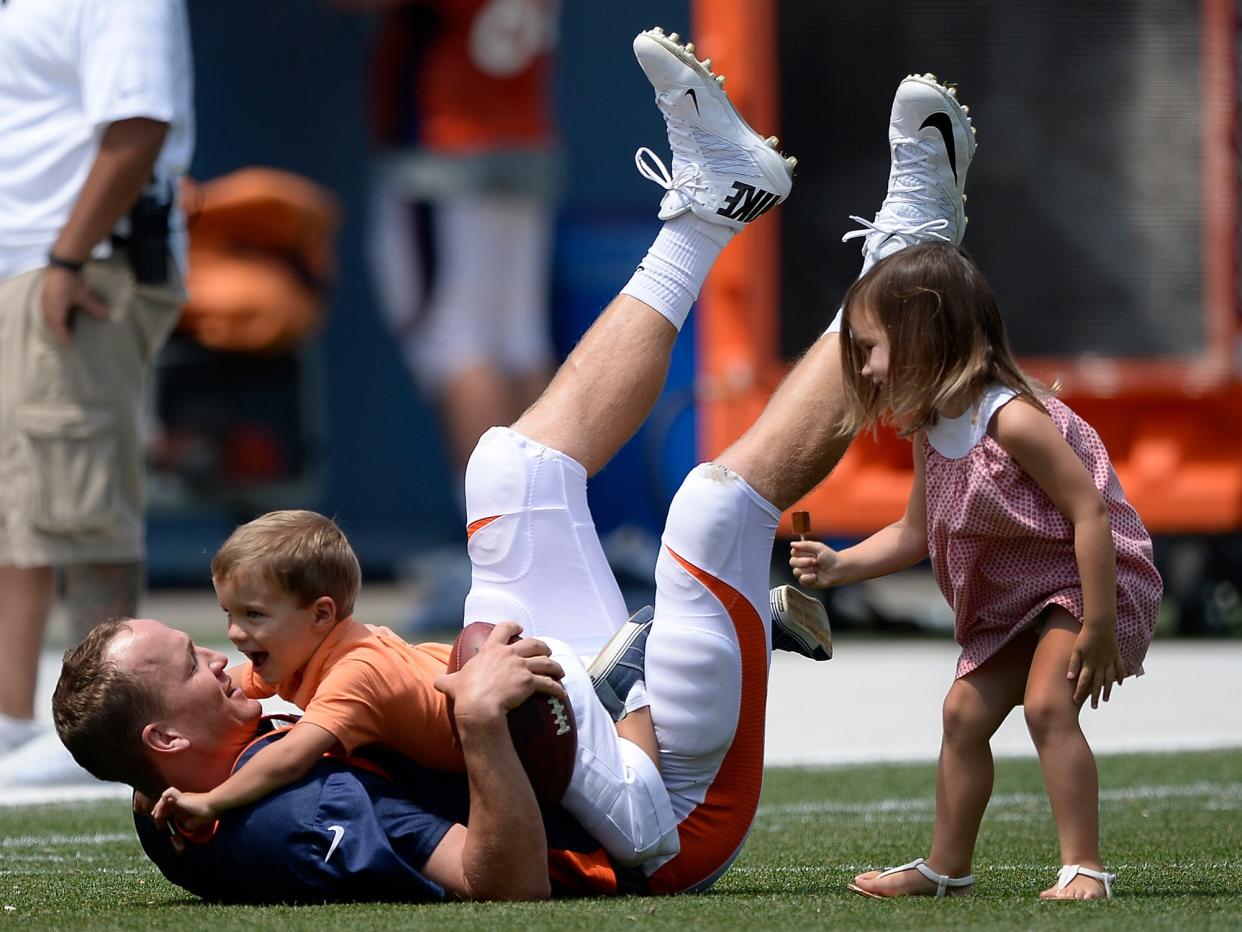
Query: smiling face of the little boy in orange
[(276, 634)]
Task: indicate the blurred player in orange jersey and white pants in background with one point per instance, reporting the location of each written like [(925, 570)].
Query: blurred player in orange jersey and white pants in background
[(464, 185)]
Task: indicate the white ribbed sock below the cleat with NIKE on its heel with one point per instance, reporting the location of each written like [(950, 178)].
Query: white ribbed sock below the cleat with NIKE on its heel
[(673, 273)]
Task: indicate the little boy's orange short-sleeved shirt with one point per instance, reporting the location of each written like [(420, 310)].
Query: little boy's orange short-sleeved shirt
[(365, 685)]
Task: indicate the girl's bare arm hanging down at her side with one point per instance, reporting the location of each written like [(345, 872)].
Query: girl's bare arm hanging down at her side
[(1028, 434)]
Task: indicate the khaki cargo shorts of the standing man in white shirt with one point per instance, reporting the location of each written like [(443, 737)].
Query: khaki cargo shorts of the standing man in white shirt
[(71, 459)]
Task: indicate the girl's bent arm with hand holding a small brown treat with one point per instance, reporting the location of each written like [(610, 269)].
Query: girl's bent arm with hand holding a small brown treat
[(901, 545)]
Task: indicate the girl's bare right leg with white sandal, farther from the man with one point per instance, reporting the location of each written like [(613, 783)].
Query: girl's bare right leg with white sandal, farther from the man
[(1065, 756)]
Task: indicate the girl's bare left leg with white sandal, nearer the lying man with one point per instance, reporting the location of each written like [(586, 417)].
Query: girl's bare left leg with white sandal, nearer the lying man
[(973, 711)]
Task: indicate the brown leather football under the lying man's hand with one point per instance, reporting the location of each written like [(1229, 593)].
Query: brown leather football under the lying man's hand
[(543, 729)]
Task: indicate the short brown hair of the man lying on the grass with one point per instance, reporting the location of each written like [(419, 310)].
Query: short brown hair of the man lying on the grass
[(100, 714)]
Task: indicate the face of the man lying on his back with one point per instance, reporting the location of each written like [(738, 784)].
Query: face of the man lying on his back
[(199, 700)]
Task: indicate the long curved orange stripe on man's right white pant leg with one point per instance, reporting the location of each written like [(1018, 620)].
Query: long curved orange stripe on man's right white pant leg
[(712, 834)]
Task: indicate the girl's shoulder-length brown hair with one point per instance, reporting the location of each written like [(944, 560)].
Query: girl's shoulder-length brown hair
[(946, 340)]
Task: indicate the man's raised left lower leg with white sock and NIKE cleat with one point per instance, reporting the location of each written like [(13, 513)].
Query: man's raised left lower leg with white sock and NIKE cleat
[(608, 386)]
